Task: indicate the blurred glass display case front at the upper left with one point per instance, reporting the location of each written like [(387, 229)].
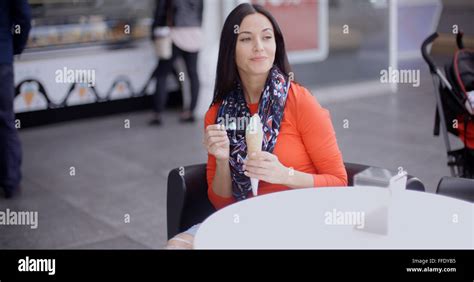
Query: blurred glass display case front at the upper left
[(67, 23)]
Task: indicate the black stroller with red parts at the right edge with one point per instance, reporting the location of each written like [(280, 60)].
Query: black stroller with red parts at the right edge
[(454, 109)]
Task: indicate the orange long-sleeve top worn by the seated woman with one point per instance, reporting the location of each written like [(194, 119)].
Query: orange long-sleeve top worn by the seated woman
[(306, 142)]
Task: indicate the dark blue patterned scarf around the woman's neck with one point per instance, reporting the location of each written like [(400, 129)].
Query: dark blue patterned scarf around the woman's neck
[(270, 110)]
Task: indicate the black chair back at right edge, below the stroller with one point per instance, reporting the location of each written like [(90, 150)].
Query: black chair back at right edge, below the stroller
[(455, 187)]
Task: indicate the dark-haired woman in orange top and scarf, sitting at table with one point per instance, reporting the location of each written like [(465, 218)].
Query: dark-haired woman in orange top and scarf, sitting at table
[(299, 149)]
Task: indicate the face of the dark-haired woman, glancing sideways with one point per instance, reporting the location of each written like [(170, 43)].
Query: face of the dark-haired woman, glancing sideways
[(256, 46)]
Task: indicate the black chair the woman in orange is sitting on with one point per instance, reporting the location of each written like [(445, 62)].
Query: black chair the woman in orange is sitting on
[(188, 203)]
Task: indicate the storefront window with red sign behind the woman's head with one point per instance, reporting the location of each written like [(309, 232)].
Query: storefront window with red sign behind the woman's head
[(333, 42)]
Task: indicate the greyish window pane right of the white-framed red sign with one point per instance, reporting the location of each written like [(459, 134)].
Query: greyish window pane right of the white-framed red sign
[(358, 45)]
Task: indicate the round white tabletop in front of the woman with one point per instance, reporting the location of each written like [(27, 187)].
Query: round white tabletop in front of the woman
[(325, 218)]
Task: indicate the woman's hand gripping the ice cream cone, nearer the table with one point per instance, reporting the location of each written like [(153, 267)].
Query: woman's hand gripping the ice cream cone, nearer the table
[(266, 167)]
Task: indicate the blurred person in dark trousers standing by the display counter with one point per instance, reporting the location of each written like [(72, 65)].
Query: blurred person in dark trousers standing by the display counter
[(176, 31)]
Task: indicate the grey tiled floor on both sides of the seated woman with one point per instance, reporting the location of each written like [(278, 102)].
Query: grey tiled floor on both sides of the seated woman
[(116, 197)]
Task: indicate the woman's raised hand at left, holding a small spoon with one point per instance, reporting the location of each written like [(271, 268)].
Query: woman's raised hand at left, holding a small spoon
[(217, 142)]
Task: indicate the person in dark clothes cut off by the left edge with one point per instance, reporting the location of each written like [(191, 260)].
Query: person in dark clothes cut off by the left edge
[(15, 17)]
